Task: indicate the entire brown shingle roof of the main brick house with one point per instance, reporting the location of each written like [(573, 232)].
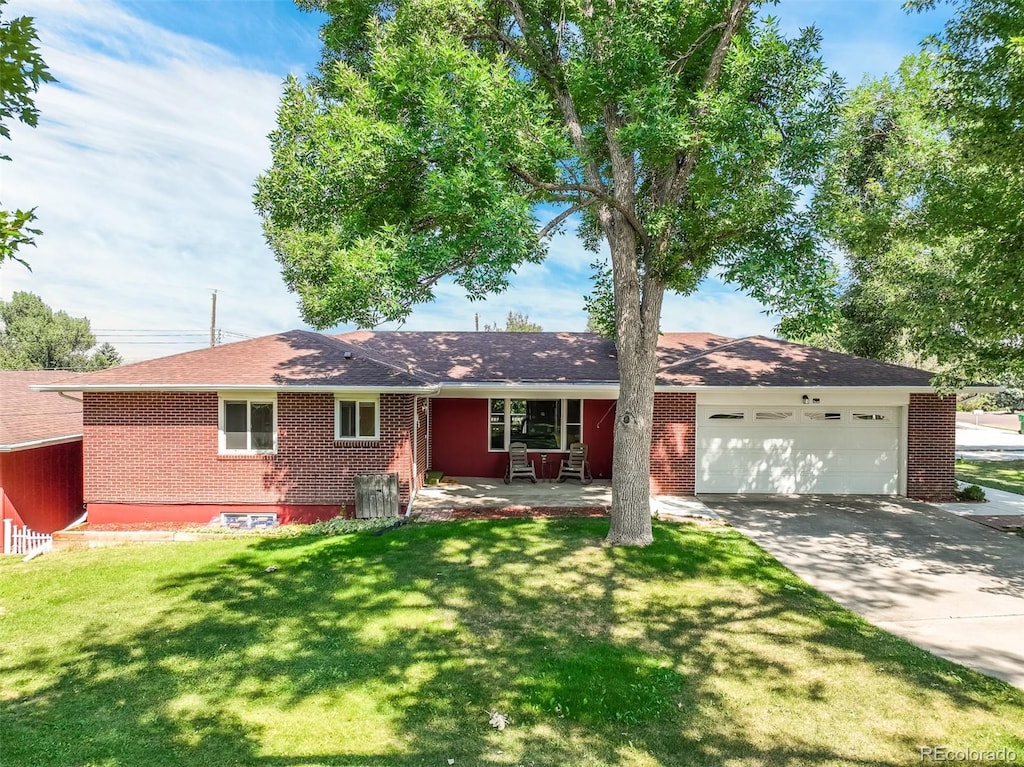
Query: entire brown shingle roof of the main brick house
[(425, 362)]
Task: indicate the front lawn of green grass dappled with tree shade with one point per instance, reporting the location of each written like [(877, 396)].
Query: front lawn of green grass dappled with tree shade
[(396, 650)]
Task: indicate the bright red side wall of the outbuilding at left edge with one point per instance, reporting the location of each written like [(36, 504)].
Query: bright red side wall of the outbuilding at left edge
[(42, 488)]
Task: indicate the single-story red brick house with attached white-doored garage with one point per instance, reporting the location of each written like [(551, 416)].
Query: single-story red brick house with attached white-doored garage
[(285, 422)]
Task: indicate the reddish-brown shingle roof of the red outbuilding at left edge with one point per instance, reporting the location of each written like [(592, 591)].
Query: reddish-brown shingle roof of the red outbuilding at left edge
[(34, 419)]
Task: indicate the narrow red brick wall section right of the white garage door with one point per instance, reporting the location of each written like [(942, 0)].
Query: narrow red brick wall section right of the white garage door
[(931, 448)]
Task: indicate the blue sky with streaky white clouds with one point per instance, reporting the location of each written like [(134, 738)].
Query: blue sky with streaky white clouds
[(143, 166)]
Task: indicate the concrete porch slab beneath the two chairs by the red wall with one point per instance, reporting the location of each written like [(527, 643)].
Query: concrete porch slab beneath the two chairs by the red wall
[(465, 493)]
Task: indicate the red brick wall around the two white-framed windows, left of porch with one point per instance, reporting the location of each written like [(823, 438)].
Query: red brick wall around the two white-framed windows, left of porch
[(162, 448)]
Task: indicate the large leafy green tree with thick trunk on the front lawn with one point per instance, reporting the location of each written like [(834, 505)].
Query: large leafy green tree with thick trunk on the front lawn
[(685, 134)]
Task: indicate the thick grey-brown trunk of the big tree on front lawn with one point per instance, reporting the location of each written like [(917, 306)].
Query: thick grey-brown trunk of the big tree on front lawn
[(636, 342)]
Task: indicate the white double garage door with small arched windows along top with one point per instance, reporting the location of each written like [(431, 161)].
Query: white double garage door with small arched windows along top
[(798, 450)]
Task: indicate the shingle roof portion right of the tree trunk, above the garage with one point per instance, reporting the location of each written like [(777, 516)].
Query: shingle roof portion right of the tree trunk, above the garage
[(770, 362)]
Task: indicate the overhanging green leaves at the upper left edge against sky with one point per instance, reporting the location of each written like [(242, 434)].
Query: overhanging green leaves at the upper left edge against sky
[(22, 71)]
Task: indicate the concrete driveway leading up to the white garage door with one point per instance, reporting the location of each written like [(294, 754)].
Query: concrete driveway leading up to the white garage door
[(949, 585)]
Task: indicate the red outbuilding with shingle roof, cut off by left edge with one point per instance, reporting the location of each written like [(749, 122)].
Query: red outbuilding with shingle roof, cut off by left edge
[(40, 453)]
